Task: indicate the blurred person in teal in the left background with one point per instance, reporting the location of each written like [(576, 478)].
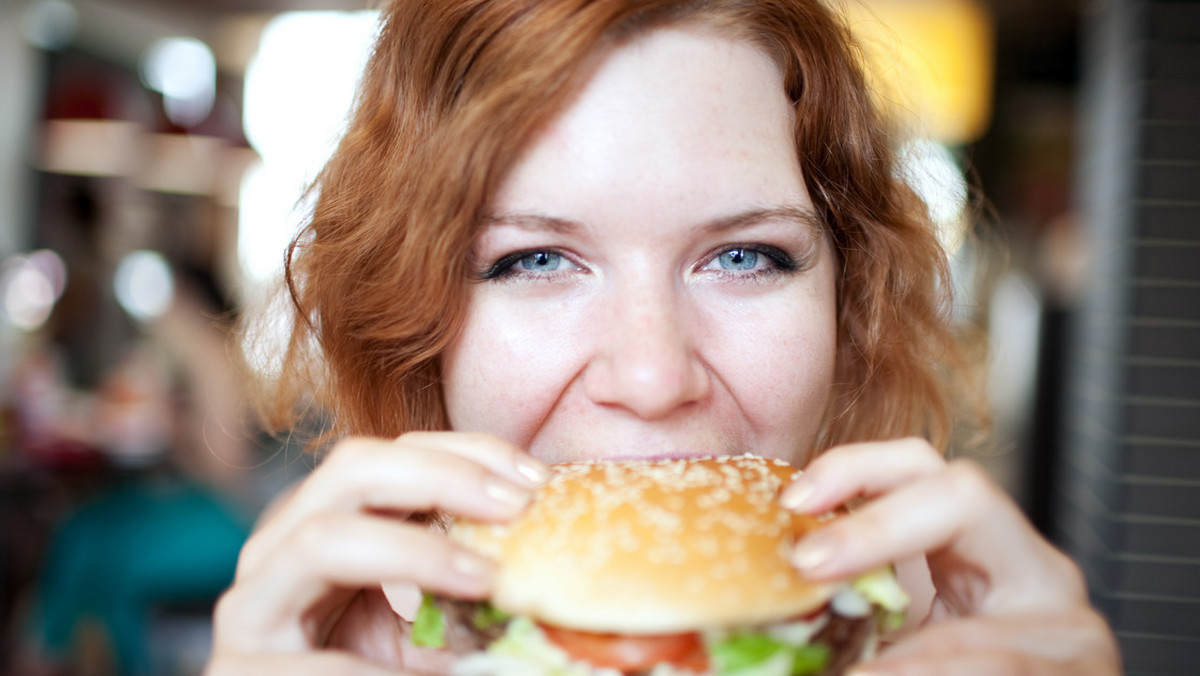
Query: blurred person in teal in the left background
[(170, 507)]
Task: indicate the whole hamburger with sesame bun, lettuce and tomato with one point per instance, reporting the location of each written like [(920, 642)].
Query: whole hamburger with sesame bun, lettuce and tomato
[(659, 569)]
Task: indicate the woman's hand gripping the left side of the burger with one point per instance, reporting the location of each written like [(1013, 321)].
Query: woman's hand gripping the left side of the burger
[(307, 597)]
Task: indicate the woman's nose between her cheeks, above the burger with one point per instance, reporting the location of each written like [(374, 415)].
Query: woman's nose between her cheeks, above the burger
[(646, 361)]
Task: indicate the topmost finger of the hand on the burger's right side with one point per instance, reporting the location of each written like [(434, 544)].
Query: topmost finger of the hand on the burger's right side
[(861, 470)]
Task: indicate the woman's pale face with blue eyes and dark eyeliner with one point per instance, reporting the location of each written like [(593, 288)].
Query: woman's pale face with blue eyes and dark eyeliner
[(652, 282)]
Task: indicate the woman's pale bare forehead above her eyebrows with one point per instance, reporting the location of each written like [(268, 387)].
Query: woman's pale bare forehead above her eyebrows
[(682, 112)]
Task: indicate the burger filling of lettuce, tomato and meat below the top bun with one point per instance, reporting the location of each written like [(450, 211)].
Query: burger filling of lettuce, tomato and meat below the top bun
[(824, 643)]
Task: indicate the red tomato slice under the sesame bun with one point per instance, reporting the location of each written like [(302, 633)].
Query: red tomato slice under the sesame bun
[(632, 654)]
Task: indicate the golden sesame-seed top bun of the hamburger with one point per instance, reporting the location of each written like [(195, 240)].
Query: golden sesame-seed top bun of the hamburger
[(653, 548)]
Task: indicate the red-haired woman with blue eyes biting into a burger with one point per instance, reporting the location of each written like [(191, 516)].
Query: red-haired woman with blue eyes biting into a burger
[(567, 229)]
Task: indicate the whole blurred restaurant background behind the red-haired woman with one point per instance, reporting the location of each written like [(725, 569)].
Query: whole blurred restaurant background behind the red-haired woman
[(153, 154)]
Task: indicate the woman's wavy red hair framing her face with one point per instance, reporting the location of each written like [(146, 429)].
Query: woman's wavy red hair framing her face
[(457, 89)]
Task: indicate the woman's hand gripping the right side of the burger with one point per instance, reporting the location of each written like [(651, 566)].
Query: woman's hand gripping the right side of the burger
[(1005, 600)]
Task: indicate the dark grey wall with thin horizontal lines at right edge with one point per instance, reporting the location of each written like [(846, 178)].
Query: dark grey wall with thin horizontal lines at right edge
[(1129, 490)]
